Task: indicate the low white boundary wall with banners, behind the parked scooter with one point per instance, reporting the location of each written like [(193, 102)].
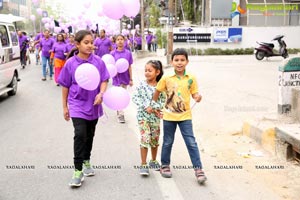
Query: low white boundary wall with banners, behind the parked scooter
[(249, 37)]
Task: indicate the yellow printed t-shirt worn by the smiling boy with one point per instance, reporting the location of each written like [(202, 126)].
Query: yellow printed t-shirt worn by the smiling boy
[(178, 91)]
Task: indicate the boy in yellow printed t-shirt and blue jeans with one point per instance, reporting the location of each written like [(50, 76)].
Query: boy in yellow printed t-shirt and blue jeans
[(179, 87)]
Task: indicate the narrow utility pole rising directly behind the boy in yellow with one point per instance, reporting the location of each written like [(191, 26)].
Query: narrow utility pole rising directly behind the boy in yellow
[(170, 30)]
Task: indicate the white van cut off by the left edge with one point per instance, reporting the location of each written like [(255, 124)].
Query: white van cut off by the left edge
[(9, 55)]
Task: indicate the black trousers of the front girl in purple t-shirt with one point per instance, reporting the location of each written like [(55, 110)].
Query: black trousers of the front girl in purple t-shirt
[(83, 140)]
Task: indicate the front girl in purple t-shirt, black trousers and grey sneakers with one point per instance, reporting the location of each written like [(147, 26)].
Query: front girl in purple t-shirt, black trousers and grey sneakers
[(82, 106)]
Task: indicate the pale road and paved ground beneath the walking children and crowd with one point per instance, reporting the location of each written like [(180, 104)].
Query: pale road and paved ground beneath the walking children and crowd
[(33, 134)]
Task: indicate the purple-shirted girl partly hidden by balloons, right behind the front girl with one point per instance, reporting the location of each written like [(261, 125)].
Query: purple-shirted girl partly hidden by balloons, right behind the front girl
[(122, 79)]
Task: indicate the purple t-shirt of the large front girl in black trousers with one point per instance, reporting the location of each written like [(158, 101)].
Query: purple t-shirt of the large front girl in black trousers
[(80, 101)]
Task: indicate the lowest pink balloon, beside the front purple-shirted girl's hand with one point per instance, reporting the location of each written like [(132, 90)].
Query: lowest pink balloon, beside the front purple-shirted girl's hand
[(116, 98)]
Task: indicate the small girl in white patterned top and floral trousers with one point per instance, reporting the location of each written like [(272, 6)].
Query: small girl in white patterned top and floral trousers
[(149, 121)]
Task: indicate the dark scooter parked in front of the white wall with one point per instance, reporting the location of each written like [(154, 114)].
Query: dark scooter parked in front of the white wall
[(266, 49)]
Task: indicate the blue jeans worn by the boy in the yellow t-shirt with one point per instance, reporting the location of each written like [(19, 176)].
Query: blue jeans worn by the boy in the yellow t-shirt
[(186, 129)]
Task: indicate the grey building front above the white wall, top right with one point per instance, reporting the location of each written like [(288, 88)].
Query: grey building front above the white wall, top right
[(252, 13)]
